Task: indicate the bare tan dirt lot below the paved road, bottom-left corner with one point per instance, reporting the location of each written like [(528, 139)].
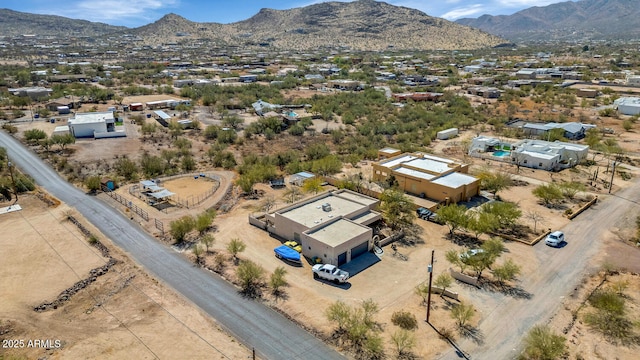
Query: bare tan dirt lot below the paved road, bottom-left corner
[(123, 314)]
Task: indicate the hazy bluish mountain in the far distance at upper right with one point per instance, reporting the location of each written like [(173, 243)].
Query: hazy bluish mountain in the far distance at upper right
[(585, 19)]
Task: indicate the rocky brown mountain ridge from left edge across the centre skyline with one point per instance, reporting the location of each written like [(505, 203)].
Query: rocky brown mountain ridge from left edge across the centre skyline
[(357, 25)]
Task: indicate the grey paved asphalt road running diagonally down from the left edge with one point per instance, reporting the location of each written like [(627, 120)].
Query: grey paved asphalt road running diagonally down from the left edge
[(272, 335)]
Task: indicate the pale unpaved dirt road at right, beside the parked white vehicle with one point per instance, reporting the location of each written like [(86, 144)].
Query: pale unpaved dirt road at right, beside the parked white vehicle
[(561, 270)]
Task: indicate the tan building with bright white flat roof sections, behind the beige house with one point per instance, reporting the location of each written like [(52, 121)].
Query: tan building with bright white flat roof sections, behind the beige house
[(427, 176)]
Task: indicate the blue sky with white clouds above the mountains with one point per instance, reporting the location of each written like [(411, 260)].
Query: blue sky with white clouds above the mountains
[(134, 13)]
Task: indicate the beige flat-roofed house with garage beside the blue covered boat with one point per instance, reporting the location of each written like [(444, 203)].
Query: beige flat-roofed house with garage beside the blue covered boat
[(331, 226)]
